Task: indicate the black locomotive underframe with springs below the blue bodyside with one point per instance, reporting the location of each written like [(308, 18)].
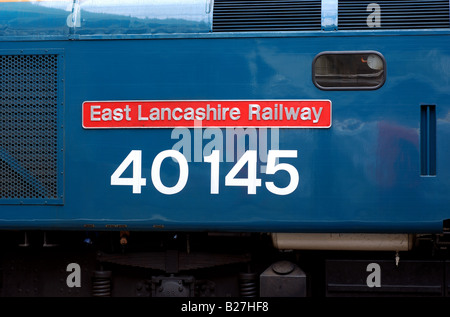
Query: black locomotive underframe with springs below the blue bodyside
[(201, 264)]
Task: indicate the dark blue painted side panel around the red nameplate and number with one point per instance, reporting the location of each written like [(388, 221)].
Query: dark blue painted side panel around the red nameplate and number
[(360, 175)]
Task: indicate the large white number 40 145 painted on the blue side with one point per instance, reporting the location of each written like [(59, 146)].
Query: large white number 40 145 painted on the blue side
[(249, 158)]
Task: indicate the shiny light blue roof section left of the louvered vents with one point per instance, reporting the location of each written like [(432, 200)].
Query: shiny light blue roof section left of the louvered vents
[(70, 19)]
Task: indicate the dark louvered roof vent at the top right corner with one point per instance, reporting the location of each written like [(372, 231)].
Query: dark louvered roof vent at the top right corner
[(400, 14)]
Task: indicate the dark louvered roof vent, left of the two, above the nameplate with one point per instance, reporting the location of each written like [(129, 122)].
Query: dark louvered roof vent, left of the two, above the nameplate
[(266, 16)]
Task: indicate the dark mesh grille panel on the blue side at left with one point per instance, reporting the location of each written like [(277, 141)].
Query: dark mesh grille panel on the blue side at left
[(28, 123)]
